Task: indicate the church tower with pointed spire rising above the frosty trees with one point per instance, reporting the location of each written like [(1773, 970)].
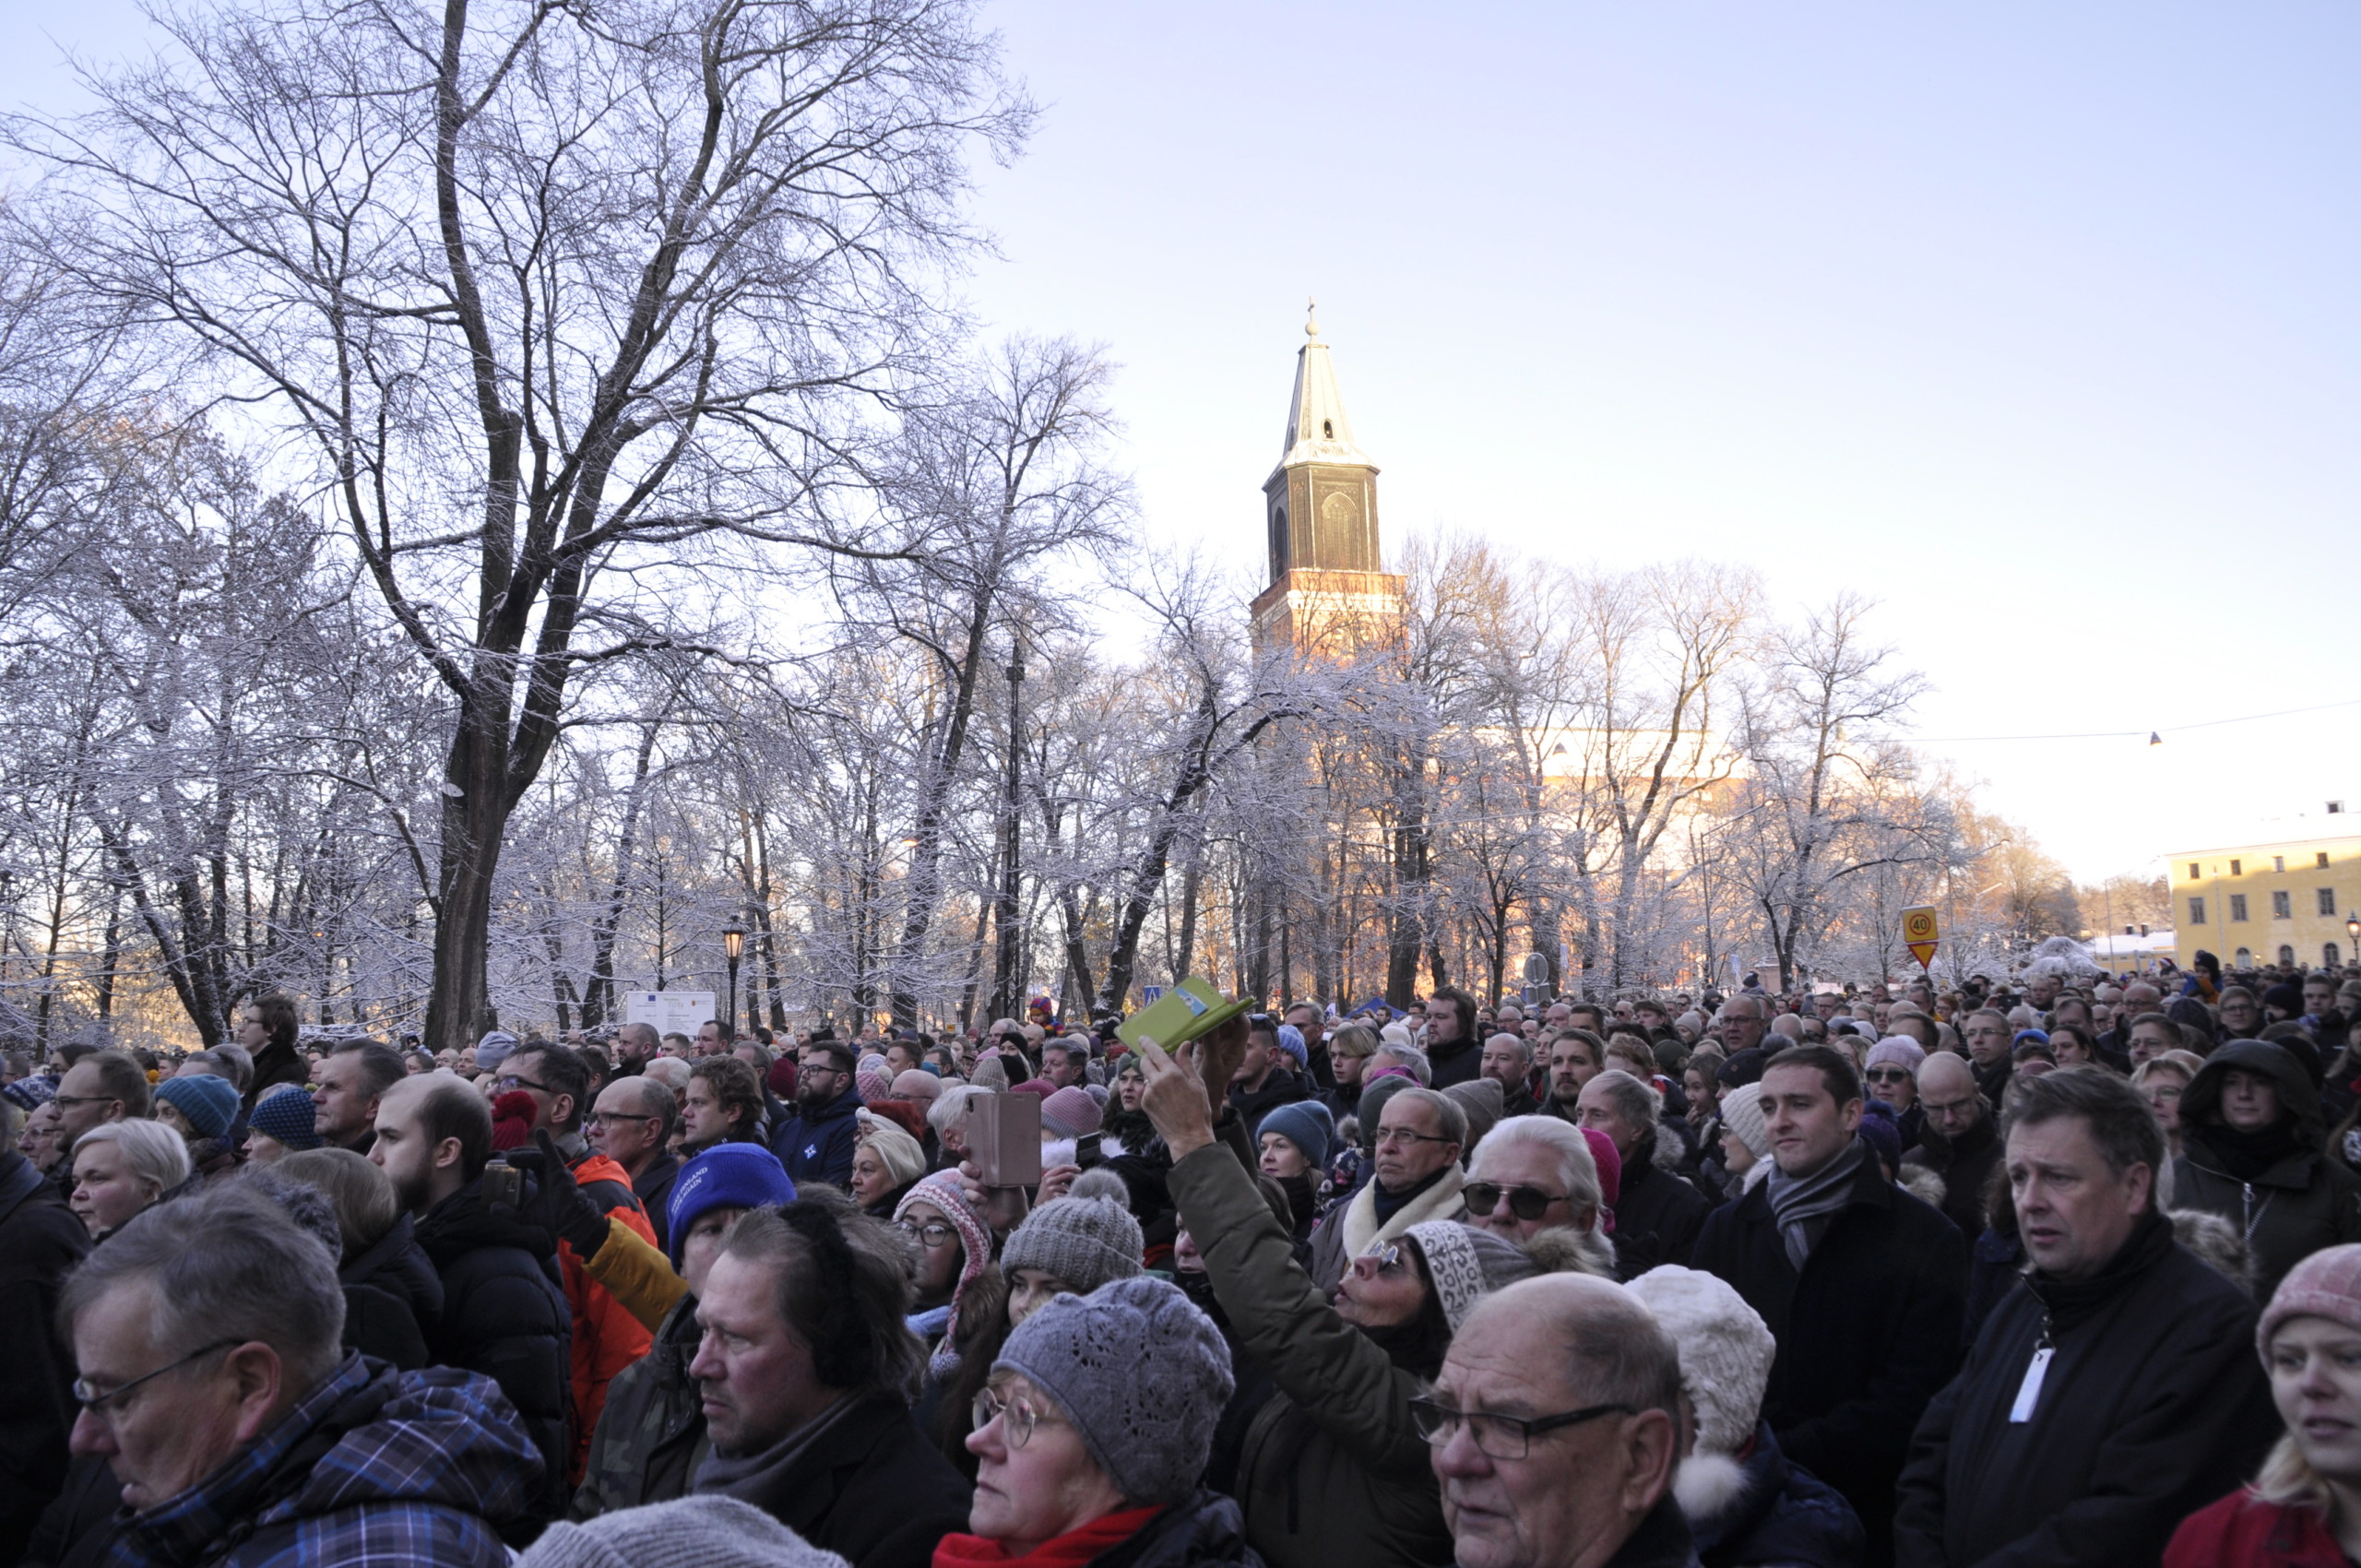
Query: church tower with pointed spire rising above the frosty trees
[(1328, 587)]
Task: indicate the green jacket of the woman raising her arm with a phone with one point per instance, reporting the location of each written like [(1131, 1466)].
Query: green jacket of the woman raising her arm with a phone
[(1333, 1470)]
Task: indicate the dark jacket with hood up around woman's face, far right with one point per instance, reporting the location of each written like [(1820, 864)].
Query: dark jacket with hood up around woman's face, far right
[(2277, 1187)]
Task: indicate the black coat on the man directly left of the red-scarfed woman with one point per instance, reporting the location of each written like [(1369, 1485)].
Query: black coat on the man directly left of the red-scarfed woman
[(875, 1491)]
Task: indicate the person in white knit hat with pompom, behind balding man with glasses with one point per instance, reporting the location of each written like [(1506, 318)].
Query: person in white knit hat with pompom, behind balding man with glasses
[(1746, 1503)]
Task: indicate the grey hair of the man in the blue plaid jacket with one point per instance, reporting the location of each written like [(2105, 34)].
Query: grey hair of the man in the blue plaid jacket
[(223, 1265)]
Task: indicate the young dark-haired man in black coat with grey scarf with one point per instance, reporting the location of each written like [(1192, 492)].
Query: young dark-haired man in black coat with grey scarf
[(1859, 1281)]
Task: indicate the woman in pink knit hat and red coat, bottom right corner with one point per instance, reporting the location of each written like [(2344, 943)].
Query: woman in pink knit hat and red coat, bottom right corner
[(2306, 1505)]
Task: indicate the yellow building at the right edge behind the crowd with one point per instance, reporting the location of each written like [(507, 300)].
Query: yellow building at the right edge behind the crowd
[(2272, 901)]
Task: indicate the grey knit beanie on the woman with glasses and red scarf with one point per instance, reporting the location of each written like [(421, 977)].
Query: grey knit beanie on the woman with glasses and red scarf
[(1139, 1373)]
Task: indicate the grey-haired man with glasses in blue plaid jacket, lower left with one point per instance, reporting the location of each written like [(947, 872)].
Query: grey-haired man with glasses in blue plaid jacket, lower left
[(214, 1385)]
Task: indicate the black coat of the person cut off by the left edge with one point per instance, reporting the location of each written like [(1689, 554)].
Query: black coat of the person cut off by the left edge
[(39, 1243)]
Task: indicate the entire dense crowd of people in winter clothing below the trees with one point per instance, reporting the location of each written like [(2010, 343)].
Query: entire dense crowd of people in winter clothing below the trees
[(2020, 1274)]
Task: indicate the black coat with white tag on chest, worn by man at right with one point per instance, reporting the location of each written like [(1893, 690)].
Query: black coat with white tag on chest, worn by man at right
[(2154, 1404)]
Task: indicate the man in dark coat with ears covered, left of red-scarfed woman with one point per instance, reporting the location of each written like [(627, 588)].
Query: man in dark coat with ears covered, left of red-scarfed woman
[(804, 1371)]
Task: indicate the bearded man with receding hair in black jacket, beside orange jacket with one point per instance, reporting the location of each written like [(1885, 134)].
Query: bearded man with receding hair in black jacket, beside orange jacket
[(504, 1309)]
